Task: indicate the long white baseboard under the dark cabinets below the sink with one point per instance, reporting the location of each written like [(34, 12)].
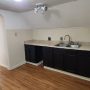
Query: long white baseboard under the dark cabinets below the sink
[(67, 73)]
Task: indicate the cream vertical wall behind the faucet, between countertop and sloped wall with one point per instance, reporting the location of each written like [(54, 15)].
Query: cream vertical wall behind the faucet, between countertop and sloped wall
[(76, 33)]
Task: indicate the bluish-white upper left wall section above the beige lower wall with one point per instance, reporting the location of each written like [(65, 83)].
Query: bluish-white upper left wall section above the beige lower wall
[(13, 20)]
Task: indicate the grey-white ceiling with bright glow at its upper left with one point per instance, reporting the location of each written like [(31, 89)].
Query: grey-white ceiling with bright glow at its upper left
[(27, 5)]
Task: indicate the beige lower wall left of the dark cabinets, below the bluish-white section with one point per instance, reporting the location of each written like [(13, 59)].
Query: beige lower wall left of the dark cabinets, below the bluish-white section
[(16, 40)]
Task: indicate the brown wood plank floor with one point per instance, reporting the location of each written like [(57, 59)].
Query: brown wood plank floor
[(28, 77)]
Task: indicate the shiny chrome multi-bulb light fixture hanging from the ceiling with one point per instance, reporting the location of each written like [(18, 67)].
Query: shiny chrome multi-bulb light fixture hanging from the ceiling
[(40, 8)]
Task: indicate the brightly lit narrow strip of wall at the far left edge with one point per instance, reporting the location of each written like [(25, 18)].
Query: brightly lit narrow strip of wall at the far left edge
[(4, 55)]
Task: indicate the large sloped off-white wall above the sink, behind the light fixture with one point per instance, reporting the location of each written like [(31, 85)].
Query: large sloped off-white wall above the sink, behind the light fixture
[(71, 14)]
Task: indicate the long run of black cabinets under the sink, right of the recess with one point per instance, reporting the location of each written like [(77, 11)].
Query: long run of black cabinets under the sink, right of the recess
[(74, 61)]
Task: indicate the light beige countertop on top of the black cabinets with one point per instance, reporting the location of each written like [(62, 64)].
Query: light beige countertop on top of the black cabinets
[(84, 46)]
